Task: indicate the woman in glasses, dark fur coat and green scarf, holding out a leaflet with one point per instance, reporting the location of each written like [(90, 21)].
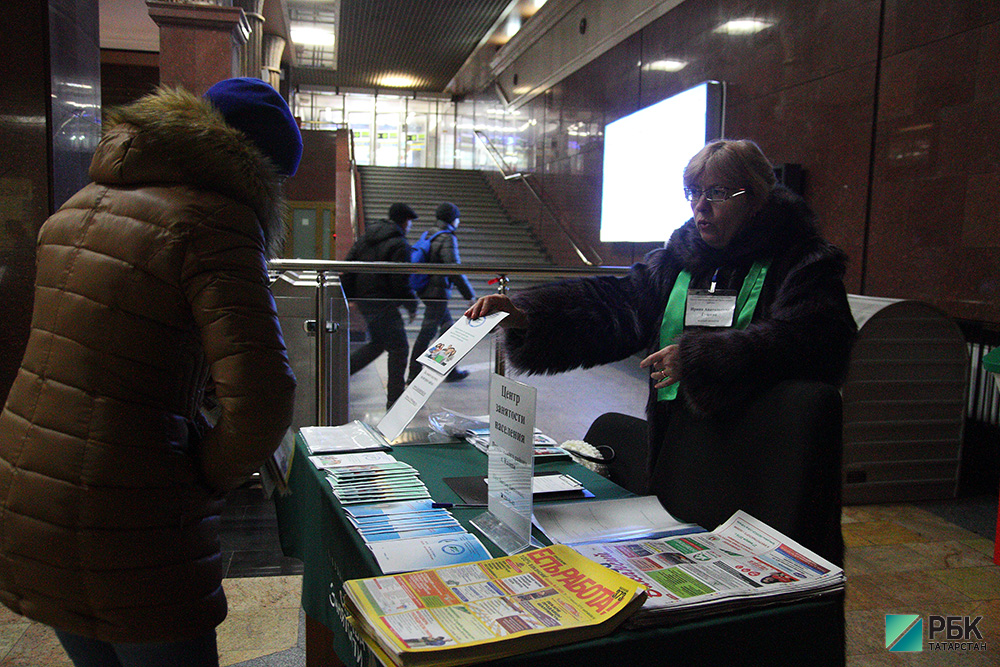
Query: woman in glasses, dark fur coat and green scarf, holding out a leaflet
[(746, 294)]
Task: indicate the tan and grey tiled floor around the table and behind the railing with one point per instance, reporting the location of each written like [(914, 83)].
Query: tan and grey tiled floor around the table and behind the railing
[(901, 558)]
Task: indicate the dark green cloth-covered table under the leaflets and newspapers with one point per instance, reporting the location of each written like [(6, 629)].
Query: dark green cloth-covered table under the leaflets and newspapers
[(314, 529)]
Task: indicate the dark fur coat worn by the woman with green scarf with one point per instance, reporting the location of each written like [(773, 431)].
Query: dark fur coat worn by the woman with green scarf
[(802, 327)]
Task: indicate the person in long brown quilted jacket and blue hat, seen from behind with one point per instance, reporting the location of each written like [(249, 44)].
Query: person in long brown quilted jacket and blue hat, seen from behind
[(149, 281)]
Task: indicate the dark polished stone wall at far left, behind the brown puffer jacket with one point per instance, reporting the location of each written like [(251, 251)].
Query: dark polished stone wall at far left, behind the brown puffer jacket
[(49, 128)]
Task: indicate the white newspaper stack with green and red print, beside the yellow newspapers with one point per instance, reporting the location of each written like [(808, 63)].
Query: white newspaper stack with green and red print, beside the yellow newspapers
[(742, 563)]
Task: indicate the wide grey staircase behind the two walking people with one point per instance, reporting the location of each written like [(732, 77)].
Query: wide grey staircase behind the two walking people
[(486, 235)]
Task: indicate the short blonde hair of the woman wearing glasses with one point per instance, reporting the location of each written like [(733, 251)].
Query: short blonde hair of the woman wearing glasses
[(739, 161)]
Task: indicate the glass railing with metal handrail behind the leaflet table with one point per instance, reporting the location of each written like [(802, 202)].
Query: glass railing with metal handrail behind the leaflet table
[(324, 333)]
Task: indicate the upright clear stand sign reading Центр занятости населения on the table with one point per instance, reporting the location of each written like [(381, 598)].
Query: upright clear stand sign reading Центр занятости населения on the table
[(511, 465)]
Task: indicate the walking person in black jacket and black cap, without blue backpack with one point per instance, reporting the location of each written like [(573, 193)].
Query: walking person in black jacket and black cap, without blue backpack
[(380, 295)]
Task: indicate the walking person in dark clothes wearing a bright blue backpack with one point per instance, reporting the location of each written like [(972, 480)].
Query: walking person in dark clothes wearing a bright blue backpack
[(435, 290)]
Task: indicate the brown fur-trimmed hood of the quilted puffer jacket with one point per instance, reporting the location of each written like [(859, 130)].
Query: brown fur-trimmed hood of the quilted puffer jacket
[(174, 136)]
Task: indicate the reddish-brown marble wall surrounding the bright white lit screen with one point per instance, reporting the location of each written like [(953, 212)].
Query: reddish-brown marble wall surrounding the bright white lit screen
[(891, 107)]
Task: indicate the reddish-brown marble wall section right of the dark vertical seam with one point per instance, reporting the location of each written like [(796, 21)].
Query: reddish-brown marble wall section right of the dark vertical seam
[(935, 209)]
